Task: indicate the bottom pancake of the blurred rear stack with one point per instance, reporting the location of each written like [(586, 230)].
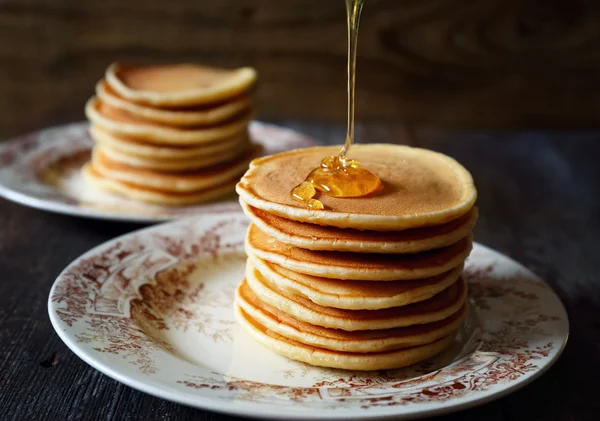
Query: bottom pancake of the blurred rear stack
[(155, 196)]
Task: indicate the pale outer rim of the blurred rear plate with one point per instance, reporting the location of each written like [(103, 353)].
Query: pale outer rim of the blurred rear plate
[(74, 209)]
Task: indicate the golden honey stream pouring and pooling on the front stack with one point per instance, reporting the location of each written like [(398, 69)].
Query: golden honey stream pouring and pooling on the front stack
[(339, 176)]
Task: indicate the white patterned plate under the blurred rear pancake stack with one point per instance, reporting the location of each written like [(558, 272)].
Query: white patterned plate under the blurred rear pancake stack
[(42, 170)]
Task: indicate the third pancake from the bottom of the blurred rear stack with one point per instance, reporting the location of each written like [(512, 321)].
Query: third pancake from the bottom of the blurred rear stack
[(170, 165)]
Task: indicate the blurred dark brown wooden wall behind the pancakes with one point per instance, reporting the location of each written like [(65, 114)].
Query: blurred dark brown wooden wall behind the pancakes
[(444, 63)]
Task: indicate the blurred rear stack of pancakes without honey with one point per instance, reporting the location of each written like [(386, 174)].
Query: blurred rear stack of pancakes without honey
[(172, 135)]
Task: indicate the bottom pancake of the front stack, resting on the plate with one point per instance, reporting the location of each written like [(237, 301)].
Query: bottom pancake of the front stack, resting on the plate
[(334, 359)]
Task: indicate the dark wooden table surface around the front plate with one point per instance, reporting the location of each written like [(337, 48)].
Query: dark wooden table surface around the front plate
[(539, 199)]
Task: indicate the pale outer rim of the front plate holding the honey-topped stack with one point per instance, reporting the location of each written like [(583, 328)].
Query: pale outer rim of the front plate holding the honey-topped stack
[(260, 409)]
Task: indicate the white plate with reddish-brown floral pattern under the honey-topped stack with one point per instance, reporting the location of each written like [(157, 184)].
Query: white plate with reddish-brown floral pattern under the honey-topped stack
[(153, 310)]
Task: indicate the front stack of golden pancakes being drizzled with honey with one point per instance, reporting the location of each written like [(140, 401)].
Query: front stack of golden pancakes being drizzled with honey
[(368, 283)]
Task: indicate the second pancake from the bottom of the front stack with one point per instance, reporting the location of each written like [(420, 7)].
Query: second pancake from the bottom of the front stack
[(340, 340)]
